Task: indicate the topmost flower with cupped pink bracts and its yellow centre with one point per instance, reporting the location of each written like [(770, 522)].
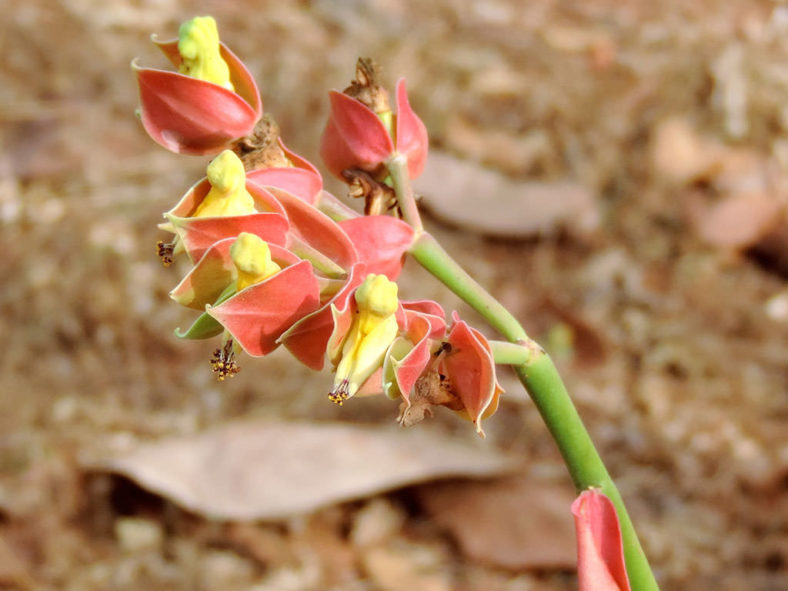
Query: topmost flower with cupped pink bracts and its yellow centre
[(210, 102)]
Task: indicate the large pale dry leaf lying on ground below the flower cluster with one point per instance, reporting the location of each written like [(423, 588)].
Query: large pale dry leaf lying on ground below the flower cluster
[(268, 469)]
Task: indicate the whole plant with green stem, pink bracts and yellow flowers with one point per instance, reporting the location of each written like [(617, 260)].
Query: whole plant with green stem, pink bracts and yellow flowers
[(276, 260)]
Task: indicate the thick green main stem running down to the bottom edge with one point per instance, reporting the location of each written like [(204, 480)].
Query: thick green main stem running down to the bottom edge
[(544, 385)]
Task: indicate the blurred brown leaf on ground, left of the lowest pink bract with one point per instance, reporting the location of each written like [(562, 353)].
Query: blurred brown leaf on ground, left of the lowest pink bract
[(516, 523)]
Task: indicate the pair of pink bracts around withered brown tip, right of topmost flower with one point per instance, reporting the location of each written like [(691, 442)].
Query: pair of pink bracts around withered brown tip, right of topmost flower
[(357, 137)]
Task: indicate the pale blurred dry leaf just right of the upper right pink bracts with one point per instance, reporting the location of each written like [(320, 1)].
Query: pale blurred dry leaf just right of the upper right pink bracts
[(471, 196)]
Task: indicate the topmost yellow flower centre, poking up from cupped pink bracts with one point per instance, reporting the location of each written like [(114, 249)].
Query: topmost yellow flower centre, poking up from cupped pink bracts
[(198, 44)]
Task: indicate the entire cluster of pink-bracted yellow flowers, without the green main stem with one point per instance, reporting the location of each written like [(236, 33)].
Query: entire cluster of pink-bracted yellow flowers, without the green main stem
[(274, 260)]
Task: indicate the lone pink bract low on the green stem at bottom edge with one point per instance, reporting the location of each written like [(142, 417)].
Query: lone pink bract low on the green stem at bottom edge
[(600, 553)]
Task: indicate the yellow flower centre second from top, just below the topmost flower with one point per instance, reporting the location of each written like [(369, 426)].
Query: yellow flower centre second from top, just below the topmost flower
[(228, 195)]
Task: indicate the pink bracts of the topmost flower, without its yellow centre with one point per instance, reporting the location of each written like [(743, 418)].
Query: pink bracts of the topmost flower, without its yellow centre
[(191, 116)]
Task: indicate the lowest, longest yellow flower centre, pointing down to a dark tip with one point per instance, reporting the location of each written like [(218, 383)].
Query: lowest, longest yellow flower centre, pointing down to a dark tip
[(373, 330)]
